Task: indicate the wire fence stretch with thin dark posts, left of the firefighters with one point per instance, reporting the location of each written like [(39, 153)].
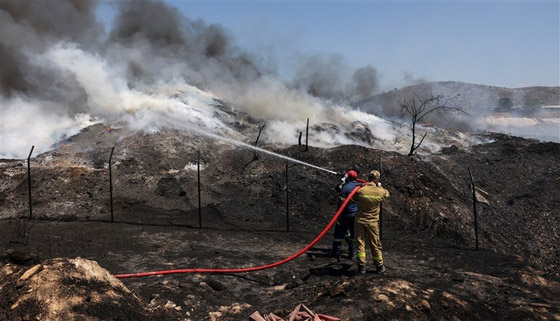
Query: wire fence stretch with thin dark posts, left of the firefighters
[(255, 195)]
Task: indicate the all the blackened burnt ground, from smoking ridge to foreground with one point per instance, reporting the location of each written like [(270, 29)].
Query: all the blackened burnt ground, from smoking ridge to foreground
[(433, 271)]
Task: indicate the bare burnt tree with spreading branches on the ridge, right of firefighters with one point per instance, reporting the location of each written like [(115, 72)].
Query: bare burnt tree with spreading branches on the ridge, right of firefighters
[(418, 108)]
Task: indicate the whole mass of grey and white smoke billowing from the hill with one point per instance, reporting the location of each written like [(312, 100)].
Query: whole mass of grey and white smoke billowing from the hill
[(63, 72)]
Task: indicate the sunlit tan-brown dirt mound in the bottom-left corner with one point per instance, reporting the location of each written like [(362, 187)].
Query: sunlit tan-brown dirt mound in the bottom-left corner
[(68, 289)]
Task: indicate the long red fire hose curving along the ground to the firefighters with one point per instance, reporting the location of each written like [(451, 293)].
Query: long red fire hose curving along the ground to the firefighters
[(256, 268)]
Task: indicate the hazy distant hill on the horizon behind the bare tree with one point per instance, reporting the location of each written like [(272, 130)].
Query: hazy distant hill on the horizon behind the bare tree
[(474, 99)]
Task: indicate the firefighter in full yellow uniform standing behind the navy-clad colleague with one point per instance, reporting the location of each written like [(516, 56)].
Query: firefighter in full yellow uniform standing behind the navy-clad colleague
[(366, 224)]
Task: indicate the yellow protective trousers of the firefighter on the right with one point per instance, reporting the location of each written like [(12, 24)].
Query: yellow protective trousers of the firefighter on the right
[(368, 233)]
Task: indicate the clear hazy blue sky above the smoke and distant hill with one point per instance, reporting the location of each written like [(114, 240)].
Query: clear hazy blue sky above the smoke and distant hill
[(498, 43)]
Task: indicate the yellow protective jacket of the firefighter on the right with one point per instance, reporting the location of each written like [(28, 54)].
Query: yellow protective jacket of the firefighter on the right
[(369, 197)]
